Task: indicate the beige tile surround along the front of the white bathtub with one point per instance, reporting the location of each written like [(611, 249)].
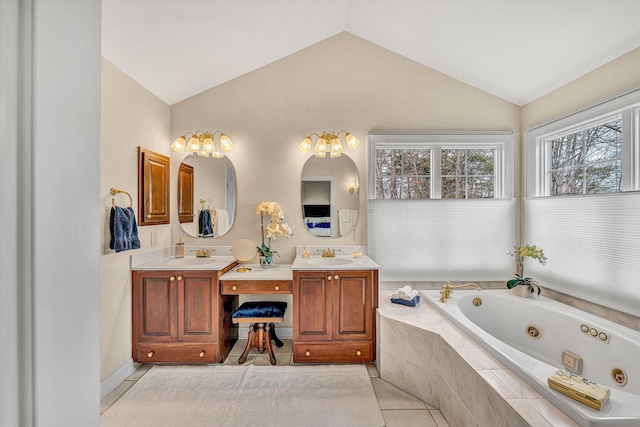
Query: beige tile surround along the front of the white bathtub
[(423, 354)]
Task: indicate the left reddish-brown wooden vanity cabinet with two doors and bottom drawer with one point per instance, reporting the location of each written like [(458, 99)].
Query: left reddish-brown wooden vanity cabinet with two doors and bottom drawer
[(176, 317)]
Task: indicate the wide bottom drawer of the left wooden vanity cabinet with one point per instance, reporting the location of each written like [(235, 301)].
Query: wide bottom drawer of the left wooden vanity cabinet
[(177, 353)]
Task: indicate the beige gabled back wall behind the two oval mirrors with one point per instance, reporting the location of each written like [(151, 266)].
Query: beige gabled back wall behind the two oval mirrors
[(343, 82)]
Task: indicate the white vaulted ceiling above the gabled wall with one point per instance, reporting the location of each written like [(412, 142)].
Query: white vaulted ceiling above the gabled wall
[(517, 50)]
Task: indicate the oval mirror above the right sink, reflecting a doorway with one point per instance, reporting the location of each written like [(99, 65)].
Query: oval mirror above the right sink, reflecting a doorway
[(330, 200)]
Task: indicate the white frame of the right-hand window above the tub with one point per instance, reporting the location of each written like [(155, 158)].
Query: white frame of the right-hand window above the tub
[(538, 142)]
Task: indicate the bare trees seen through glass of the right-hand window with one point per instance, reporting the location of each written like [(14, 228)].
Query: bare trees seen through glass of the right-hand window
[(588, 161)]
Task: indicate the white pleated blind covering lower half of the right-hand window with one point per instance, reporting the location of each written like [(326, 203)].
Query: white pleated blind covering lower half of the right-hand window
[(591, 243)]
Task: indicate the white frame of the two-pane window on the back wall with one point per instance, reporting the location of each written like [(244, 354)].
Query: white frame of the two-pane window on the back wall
[(500, 142)]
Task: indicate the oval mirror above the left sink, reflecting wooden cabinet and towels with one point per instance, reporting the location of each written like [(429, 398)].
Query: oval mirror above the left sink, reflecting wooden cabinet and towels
[(206, 196)]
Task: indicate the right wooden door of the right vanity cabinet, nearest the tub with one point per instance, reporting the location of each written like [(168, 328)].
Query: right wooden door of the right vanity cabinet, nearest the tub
[(353, 305)]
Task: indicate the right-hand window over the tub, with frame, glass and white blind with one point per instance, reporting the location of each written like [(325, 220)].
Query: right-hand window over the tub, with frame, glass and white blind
[(583, 202)]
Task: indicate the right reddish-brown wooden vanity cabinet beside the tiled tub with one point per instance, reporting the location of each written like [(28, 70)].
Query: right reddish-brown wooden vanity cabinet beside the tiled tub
[(334, 315)]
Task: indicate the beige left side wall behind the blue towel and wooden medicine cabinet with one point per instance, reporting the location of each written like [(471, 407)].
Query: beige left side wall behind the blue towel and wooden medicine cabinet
[(131, 117)]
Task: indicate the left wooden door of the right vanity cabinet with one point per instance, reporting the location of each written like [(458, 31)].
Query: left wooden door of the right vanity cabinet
[(312, 300)]
